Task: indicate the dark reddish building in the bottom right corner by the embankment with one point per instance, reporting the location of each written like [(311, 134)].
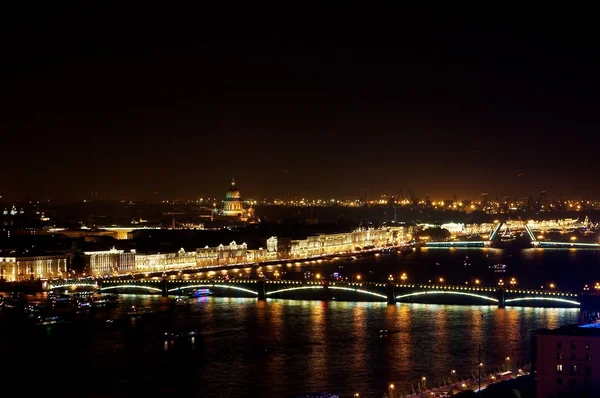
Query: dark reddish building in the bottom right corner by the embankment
[(567, 362)]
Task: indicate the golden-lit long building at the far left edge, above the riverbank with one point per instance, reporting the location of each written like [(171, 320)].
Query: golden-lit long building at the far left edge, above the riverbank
[(38, 267)]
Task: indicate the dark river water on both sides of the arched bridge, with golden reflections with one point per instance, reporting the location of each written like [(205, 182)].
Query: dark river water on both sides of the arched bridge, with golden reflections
[(280, 347)]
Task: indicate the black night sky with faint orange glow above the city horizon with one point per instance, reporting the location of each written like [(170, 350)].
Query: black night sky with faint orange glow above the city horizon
[(140, 99)]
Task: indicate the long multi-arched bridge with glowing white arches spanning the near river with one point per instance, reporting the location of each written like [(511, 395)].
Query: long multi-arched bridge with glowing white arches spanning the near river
[(343, 291)]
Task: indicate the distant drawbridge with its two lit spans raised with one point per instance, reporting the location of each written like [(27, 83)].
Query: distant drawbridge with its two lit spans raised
[(496, 234)]
